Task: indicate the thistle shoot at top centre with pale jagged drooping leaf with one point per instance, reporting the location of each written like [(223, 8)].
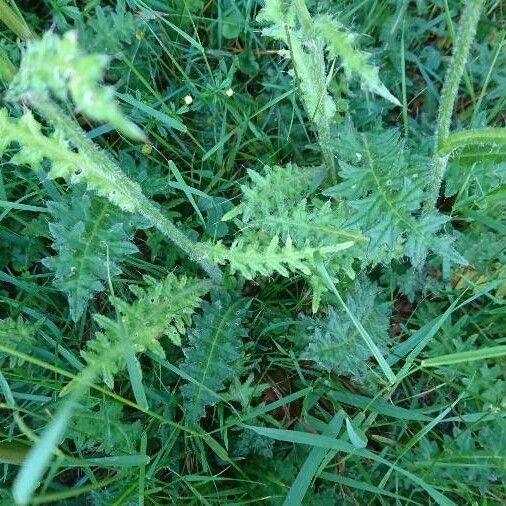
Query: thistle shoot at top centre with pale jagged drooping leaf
[(314, 45)]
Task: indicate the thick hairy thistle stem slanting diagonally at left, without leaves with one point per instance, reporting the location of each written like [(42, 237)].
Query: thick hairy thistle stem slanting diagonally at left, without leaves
[(105, 168)]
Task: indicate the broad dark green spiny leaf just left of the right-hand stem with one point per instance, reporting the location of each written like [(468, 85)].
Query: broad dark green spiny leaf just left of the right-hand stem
[(383, 185)]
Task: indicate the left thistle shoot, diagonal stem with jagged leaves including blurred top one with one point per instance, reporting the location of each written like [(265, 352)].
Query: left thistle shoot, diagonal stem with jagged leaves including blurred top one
[(72, 155)]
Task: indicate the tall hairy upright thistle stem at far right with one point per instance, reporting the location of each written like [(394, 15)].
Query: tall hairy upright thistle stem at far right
[(466, 34)]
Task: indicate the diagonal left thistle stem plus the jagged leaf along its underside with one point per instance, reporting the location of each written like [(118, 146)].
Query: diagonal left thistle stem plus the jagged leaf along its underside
[(88, 165)]
